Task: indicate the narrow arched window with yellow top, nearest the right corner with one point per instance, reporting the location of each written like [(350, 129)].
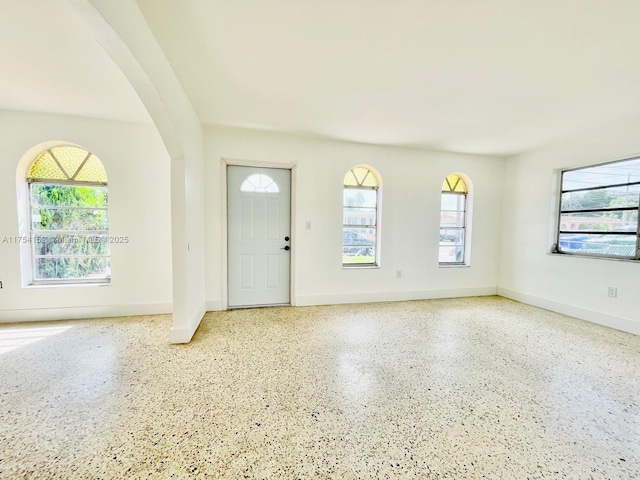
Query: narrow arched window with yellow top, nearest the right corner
[(453, 221)]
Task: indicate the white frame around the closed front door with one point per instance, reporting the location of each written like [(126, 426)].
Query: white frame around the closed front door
[(227, 162)]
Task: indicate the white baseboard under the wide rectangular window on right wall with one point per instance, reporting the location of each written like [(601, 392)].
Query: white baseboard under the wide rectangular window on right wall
[(601, 318)]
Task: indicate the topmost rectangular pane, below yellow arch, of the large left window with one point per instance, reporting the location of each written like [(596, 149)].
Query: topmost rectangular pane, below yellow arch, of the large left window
[(43, 194)]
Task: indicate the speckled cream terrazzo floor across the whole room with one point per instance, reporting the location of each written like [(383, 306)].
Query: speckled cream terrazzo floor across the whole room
[(443, 389)]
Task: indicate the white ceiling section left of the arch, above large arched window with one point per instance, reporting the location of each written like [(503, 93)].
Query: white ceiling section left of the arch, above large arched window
[(50, 63)]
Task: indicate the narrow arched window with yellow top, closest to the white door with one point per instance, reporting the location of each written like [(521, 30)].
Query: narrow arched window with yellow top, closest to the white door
[(361, 222)]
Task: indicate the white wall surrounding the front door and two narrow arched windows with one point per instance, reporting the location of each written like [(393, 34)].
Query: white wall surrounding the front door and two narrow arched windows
[(412, 182)]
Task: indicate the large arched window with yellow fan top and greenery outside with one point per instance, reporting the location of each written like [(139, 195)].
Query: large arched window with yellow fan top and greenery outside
[(68, 217)]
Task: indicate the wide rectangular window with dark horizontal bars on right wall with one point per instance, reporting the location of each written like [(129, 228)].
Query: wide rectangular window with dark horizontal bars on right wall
[(598, 213)]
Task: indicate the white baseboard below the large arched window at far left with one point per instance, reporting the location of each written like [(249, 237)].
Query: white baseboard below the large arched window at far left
[(78, 312)]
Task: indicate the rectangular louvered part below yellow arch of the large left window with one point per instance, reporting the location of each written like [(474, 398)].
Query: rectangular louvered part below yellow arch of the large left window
[(69, 233)]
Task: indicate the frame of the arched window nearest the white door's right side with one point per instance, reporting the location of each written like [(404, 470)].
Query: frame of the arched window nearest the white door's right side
[(378, 193)]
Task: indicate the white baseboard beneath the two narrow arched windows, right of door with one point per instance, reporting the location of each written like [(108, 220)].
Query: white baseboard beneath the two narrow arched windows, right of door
[(393, 296)]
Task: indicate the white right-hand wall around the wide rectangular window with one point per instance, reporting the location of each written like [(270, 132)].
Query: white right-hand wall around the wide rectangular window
[(575, 286)]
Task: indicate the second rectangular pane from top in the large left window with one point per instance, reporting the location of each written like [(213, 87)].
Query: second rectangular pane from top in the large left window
[(69, 219)]
